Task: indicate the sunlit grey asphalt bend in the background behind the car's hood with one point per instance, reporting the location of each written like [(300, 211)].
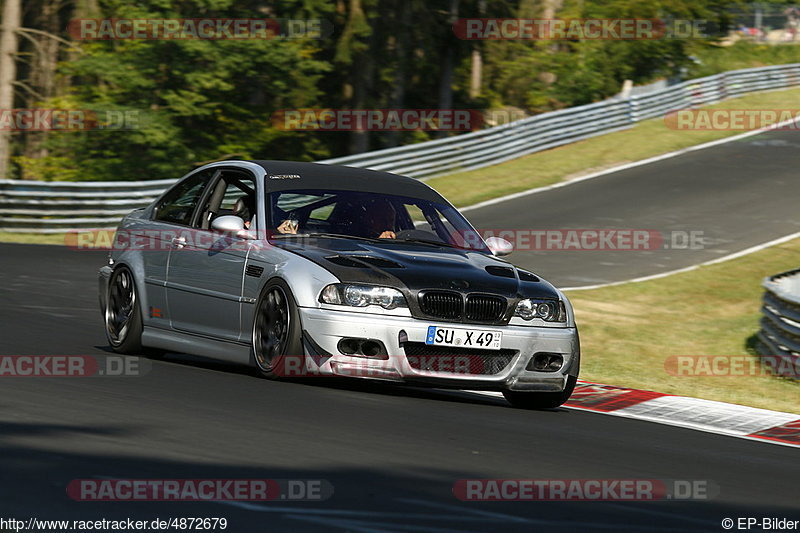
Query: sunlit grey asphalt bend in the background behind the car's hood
[(739, 194)]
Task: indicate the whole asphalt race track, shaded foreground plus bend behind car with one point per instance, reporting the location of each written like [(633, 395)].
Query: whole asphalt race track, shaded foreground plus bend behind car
[(393, 454)]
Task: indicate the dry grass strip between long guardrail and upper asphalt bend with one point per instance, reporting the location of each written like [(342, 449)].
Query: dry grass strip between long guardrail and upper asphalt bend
[(646, 139)]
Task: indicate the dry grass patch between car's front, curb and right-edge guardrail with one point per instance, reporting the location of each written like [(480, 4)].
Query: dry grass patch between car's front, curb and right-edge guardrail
[(628, 331)]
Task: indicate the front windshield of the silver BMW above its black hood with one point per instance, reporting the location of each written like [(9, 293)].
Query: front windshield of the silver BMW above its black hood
[(370, 216)]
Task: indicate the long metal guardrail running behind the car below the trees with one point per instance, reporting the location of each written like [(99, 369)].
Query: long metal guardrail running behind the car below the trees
[(50, 207)]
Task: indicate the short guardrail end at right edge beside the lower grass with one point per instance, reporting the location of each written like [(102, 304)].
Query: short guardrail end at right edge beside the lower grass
[(780, 326)]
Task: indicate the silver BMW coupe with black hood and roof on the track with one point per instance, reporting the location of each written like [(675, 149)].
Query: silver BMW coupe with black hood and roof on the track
[(303, 269)]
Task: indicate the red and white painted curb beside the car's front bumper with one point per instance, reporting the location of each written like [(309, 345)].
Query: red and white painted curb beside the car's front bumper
[(693, 413)]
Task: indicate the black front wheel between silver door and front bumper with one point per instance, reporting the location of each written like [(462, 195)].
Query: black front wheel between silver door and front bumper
[(277, 333)]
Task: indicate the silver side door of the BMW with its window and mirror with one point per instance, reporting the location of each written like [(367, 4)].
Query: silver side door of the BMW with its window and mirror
[(206, 269)]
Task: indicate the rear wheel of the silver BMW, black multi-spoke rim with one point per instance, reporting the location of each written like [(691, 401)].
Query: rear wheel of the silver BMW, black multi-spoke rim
[(123, 315)]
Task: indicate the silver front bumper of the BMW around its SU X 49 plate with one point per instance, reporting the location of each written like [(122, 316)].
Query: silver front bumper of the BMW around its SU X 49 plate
[(323, 329)]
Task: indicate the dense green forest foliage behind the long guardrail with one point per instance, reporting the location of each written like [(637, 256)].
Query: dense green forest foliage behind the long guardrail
[(203, 100)]
